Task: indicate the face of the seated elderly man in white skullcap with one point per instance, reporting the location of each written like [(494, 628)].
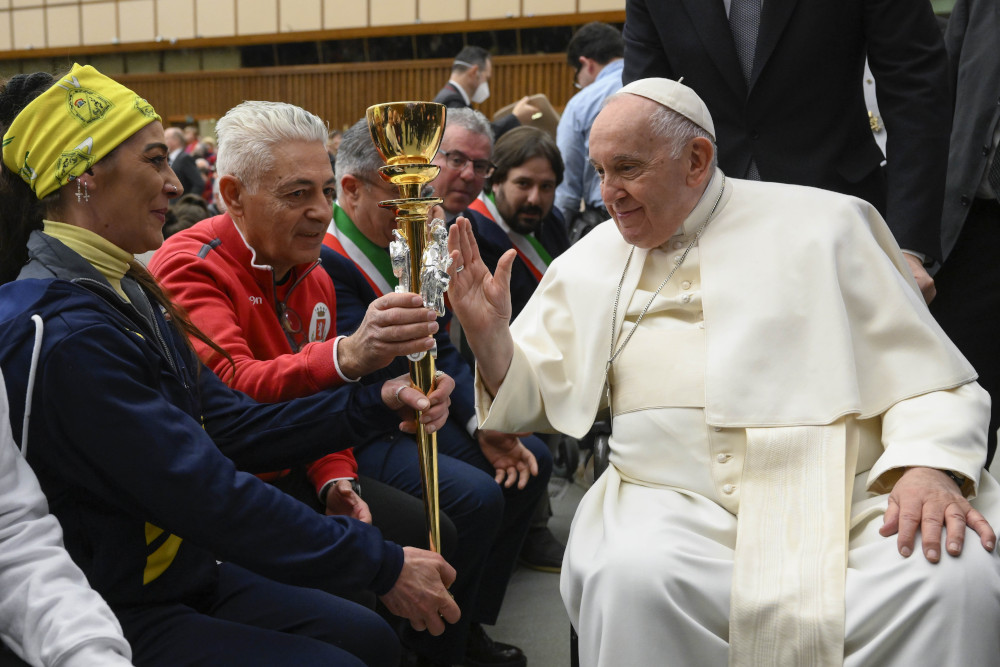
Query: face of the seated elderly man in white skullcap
[(646, 190)]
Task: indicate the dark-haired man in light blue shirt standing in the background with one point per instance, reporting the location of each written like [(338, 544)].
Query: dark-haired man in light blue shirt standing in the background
[(596, 54)]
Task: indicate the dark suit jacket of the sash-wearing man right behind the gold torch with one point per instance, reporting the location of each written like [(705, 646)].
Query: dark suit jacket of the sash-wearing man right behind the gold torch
[(354, 293)]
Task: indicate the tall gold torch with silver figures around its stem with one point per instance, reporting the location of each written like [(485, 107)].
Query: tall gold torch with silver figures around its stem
[(407, 136)]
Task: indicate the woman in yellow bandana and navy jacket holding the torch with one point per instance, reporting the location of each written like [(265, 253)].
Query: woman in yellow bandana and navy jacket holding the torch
[(129, 435)]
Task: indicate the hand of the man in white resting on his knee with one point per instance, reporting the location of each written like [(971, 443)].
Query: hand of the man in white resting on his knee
[(926, 498)]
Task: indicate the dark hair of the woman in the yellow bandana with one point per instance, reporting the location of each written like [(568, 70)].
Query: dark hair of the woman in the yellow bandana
[(22, 213)]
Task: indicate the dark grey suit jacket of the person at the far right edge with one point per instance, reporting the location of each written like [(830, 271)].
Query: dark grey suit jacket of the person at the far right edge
[(971, 38)]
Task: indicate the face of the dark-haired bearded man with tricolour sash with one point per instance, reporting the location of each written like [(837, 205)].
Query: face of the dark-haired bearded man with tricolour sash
[(526, 195)]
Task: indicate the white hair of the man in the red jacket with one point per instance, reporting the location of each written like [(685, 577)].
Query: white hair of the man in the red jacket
[(249, 131)]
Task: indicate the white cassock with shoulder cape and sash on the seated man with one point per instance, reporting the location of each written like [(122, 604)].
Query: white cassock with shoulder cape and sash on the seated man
[(765, 405)]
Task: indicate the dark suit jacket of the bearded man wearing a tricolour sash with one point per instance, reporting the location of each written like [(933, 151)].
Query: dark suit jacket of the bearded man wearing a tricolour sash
[(494, 242)]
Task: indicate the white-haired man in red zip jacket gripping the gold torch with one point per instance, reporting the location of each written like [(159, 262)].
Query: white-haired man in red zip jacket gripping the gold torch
[(251, 280)]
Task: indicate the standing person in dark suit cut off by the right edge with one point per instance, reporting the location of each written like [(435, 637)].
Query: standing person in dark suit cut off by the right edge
[(968, 302)]
